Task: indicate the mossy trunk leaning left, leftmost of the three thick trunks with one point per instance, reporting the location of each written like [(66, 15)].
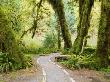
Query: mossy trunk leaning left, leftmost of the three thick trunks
[(58, 6)]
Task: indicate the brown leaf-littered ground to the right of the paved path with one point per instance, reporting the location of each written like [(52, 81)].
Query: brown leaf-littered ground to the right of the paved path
[(85, 75)]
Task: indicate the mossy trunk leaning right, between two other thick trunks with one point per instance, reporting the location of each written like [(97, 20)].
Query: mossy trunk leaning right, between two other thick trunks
[(85, 7)]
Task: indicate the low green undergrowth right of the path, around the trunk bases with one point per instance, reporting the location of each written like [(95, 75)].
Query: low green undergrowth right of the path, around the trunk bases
[(85, 60)]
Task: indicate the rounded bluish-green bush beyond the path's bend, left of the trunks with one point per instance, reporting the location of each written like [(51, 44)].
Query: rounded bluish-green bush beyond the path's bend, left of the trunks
[(49, 45)]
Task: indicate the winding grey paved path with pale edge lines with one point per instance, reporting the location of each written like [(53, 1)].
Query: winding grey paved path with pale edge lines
[(53, 72)]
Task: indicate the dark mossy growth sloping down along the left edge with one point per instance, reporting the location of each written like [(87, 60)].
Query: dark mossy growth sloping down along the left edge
[(9, 46)]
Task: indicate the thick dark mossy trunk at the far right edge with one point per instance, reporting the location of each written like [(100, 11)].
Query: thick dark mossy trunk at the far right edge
[(103, 43)]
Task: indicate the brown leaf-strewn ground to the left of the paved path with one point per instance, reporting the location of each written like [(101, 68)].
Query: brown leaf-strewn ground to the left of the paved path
[(33, 74)]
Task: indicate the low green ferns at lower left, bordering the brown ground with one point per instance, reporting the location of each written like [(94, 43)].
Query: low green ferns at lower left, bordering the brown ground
[(8, 63)]
